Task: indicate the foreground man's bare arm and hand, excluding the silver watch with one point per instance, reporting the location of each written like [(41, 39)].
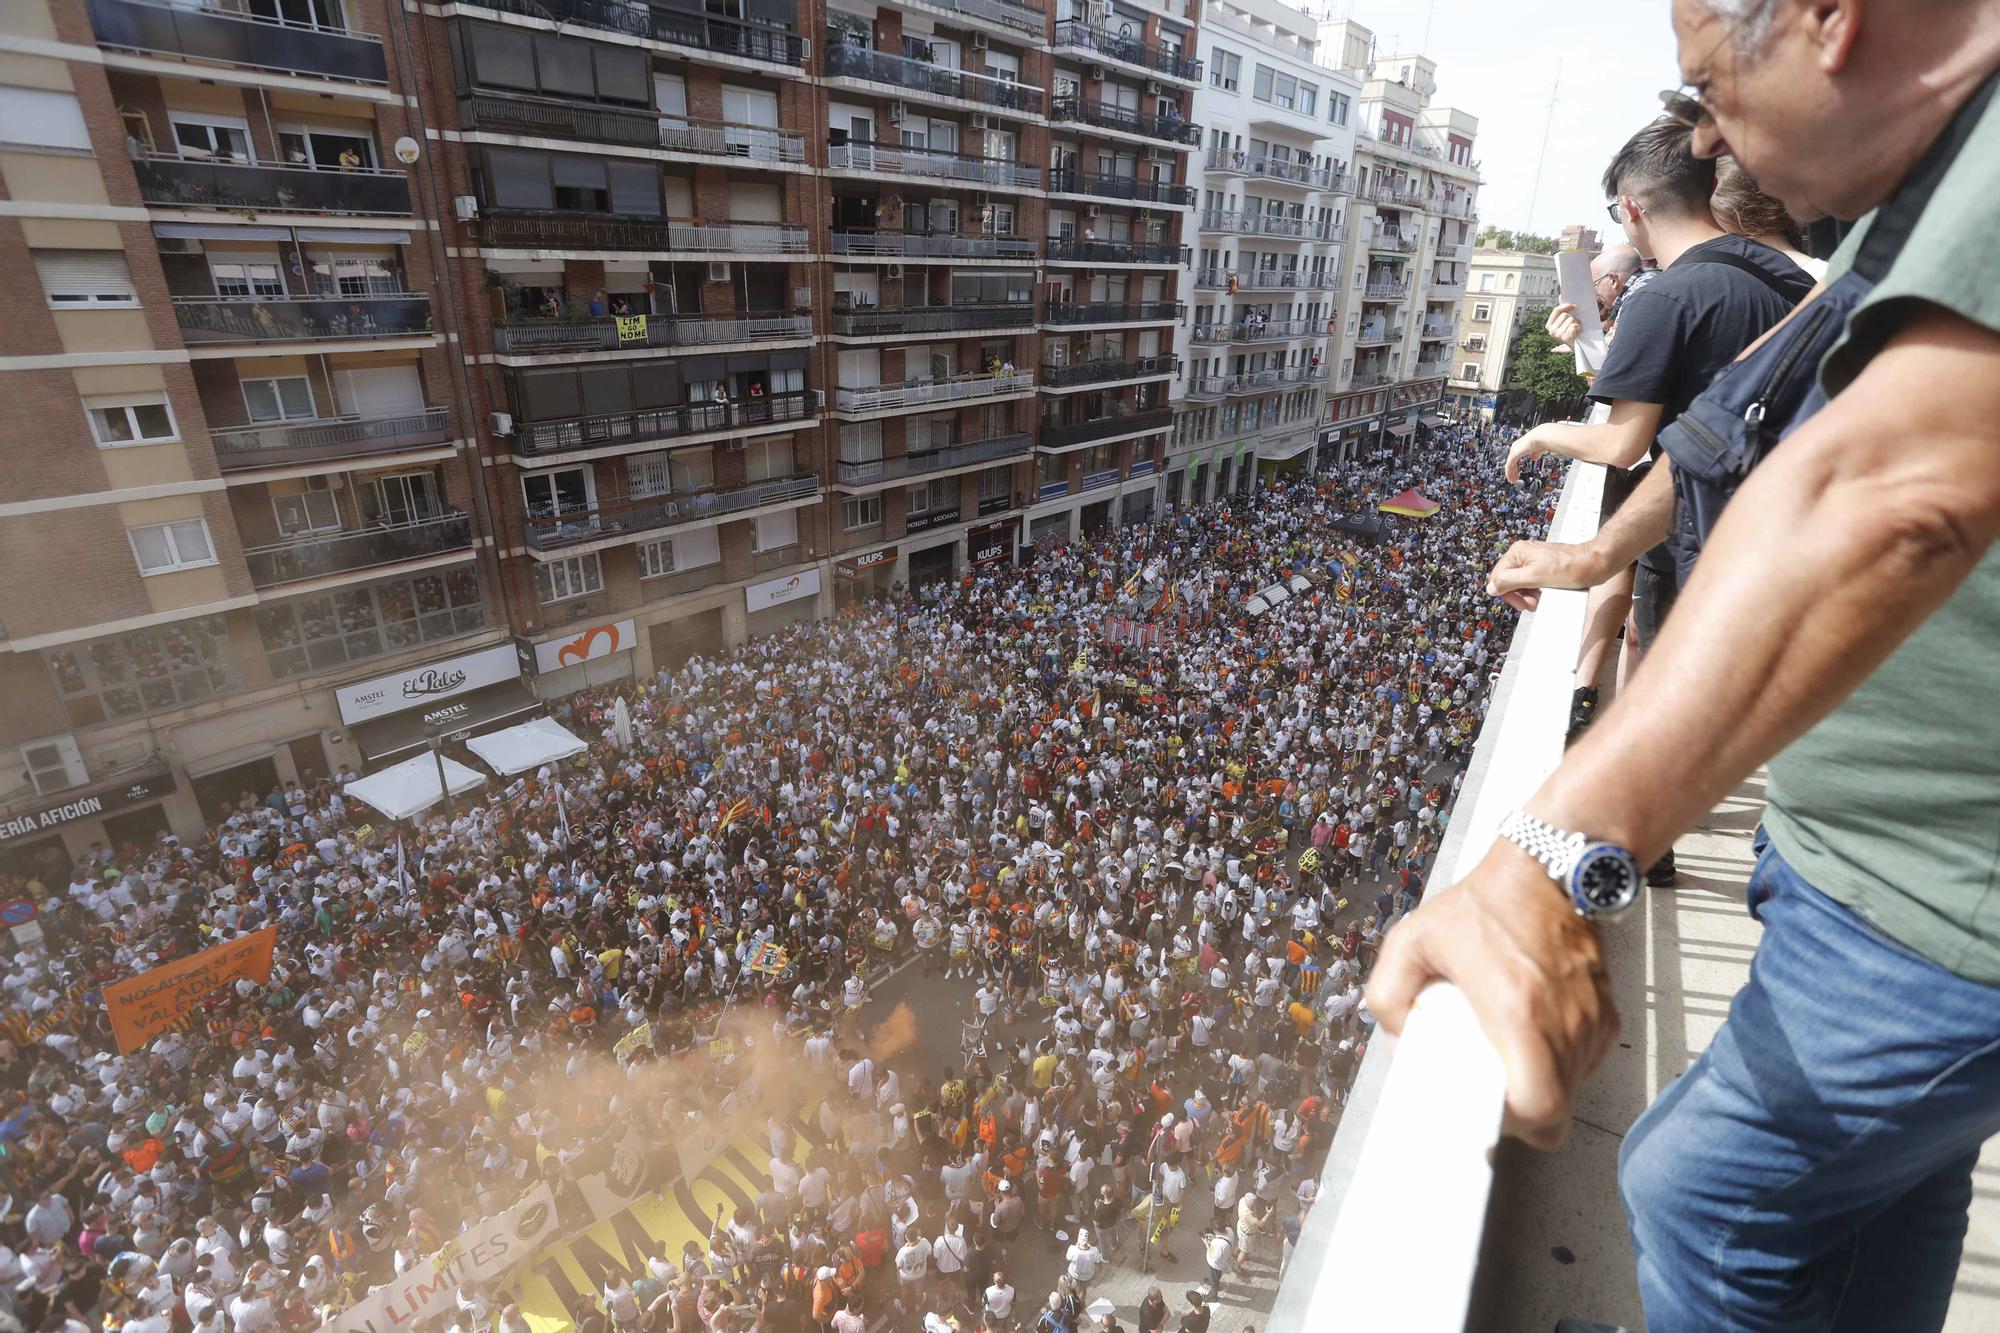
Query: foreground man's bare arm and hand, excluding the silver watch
[(1837, 547)]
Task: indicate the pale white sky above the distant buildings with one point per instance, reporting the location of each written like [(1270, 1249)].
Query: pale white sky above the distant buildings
[(1497, 59)]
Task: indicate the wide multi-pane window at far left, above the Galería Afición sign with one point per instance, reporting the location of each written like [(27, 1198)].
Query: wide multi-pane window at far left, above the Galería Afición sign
[(145, 672)]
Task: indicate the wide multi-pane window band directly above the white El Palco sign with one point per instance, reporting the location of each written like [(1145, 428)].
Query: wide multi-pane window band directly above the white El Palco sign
[(353, 625)]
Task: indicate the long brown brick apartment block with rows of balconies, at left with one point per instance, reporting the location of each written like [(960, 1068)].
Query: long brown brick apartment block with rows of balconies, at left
[(387, 369)]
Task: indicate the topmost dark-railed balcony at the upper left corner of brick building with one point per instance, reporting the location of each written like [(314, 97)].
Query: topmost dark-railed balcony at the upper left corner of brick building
[(227, 37)]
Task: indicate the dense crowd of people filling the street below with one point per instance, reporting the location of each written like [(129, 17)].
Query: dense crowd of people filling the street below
[(1151, 872)]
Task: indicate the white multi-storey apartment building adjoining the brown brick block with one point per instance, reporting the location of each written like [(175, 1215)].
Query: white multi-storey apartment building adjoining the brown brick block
[(1277, 189)]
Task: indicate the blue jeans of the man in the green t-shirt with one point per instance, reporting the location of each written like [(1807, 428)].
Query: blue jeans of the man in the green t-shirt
[(1813, 1170)]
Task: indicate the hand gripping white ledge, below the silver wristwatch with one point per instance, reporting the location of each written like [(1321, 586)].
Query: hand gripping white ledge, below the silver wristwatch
[(1533, 970)]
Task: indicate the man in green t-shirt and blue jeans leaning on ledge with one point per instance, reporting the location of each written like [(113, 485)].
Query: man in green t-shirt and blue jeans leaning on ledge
[(1843, 625)]
